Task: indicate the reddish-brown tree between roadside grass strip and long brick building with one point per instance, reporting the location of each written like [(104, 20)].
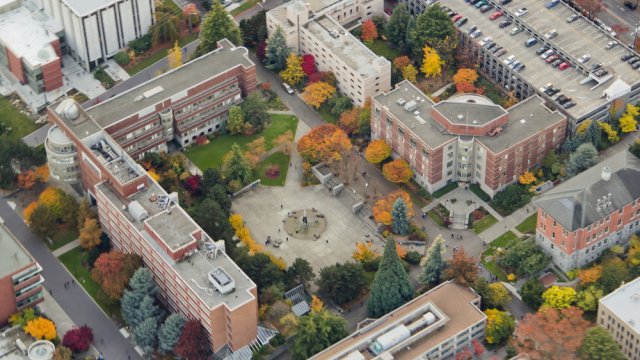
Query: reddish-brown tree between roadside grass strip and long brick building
[(112, 270)]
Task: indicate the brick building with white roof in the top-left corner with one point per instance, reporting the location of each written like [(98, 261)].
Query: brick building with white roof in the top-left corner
[(30, 46)]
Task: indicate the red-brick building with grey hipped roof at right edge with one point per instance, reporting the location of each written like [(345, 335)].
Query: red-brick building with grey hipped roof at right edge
[(590, 212)]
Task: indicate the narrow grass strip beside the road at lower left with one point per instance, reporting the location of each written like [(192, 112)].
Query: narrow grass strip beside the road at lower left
[(73, 260)]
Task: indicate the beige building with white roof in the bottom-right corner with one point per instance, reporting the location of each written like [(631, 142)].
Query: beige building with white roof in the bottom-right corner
[(618, 313)]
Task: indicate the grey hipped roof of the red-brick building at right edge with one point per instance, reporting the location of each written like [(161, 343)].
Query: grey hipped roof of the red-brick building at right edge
[(587, 198)]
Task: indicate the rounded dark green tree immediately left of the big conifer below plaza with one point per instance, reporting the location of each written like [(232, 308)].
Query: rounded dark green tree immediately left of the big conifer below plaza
[(342, 282)]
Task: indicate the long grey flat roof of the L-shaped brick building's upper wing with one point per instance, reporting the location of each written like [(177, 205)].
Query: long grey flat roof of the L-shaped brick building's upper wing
[(143, 98)]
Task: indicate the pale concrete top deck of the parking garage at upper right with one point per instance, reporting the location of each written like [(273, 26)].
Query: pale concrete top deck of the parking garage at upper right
[(574, 40)]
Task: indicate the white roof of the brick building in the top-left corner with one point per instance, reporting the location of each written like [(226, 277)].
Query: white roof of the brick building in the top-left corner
[(29, 36)]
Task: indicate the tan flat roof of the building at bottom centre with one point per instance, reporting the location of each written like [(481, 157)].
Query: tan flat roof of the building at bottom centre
[(452, 306)]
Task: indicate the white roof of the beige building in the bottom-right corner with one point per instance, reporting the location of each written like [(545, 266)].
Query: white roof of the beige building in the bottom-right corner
[(624, 303)]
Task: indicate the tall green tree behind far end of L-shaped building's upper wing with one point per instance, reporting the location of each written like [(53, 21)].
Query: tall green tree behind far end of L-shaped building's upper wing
[(217, 25)]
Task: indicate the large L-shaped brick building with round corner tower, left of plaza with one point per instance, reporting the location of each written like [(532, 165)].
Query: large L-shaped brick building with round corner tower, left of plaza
[(193, 272)]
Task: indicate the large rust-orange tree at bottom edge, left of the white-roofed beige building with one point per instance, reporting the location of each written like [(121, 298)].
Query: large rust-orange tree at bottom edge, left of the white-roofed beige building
[(551, 333)]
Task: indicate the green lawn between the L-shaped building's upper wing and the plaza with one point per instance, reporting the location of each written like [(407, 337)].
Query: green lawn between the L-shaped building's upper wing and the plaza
[(210, 155)]
